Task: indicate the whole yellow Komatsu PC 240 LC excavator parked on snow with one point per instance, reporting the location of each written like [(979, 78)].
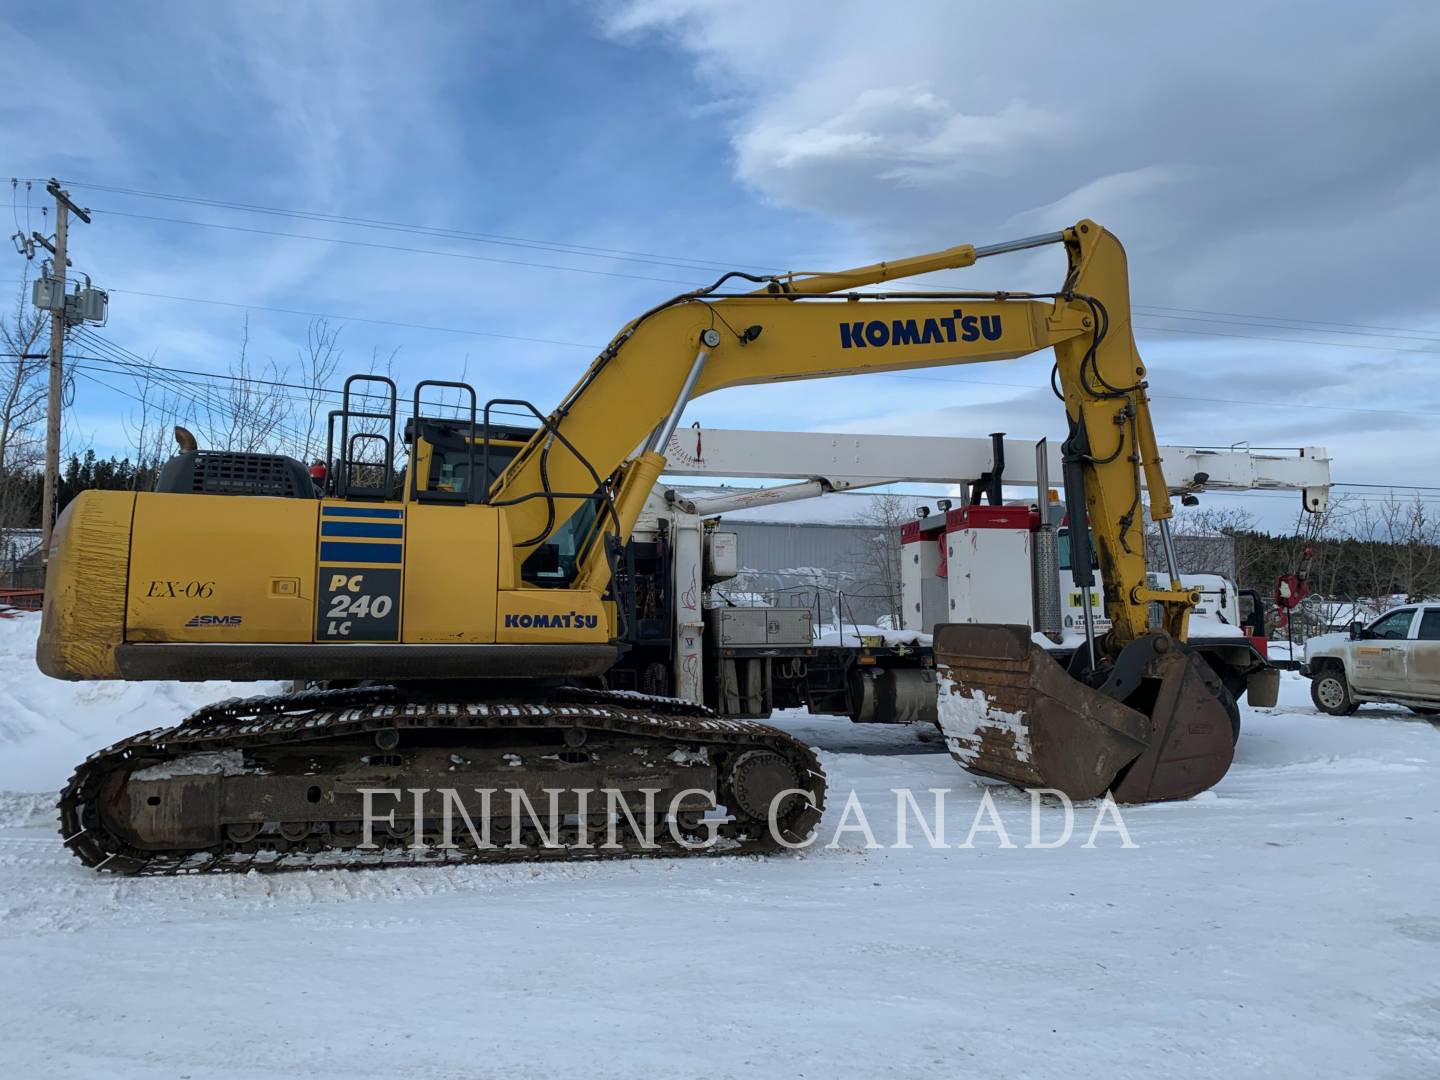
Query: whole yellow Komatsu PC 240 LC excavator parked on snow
[(464, 616)]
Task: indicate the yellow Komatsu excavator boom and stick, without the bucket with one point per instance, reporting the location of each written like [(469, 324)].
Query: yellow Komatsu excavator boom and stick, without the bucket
[(819, 326)]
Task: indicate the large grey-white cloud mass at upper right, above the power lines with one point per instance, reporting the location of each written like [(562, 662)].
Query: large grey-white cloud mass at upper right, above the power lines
[(1225, 145)]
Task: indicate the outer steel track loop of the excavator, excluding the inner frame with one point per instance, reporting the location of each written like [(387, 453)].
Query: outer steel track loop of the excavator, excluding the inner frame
[(315, 718)]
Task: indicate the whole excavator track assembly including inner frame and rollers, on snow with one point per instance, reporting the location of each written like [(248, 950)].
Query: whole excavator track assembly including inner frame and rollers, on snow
[(271, 784)]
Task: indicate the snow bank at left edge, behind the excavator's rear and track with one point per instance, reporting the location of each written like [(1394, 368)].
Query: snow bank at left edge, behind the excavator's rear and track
[(50, 726)]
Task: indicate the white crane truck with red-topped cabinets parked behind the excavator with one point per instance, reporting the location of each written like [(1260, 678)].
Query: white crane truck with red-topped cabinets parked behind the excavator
[(745, 662)]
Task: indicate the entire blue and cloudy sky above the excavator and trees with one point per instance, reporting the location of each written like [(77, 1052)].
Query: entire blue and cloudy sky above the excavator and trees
[(1275, 166)]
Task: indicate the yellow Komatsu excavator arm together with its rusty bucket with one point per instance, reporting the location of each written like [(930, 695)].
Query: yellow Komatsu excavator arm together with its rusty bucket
[(1137, 714)]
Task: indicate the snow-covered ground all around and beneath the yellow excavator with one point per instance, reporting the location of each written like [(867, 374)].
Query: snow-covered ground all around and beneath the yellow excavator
[(1287, 924)]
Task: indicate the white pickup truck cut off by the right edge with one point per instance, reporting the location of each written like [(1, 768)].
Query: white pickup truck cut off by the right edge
[(1395, 659)]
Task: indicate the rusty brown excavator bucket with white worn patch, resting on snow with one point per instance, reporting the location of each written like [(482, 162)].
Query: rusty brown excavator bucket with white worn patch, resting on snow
[(1010, 712)]
